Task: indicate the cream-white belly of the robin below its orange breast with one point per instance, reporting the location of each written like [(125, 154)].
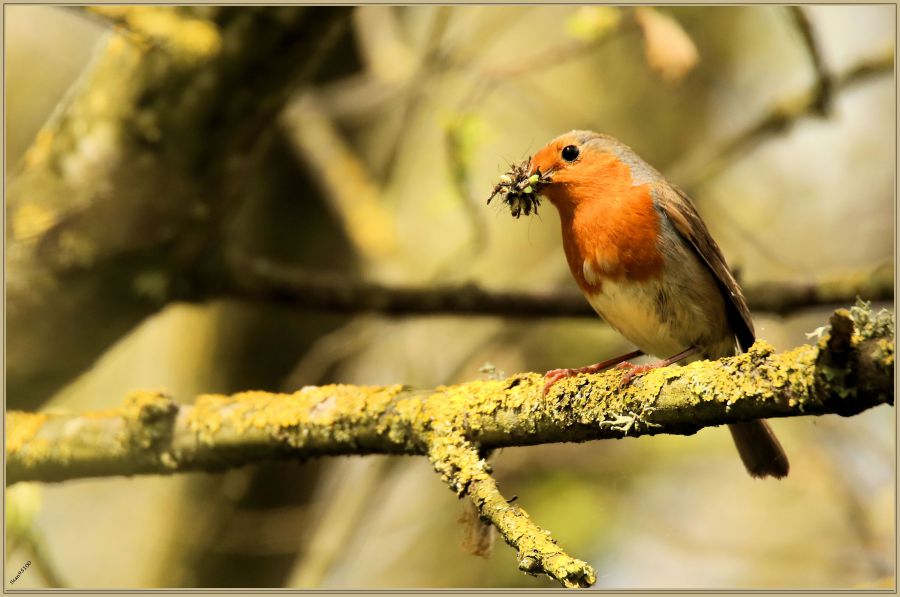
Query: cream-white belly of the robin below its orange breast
[(631, 308)]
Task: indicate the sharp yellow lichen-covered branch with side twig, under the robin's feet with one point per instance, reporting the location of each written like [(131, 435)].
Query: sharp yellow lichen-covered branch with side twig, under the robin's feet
[(848, 370)]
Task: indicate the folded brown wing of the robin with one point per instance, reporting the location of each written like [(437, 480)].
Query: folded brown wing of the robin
[(684, 217)]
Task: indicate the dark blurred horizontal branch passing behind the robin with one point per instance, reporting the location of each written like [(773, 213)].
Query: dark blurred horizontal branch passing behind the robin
[(259, 279)]
